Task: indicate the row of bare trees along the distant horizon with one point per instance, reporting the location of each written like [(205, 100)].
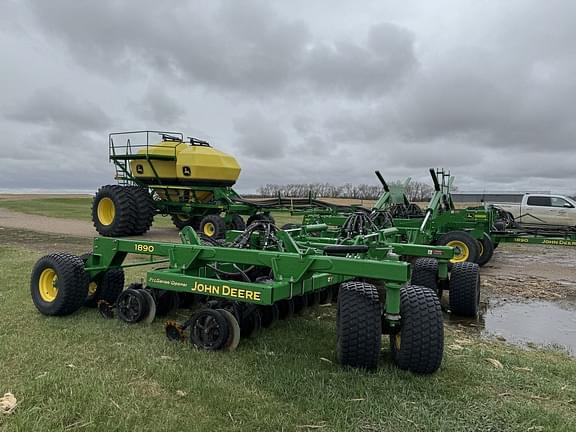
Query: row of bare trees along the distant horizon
[(416, 191)]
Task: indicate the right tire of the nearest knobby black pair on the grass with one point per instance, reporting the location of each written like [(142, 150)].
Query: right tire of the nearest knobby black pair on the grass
[(419, 345)]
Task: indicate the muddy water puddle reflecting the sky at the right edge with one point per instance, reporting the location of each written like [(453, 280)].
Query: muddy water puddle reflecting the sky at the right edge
[(527, 323)]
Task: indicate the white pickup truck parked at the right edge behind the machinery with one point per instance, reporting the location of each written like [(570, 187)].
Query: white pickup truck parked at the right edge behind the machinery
[(540, 209)]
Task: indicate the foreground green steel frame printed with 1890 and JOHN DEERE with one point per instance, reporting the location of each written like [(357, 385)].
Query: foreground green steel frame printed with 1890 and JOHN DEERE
[(301, 269)]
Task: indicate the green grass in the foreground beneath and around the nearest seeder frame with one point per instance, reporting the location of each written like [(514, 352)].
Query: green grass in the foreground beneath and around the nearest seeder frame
[(86, 373)]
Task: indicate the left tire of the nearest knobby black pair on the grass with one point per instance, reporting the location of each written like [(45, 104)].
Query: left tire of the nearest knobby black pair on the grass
[(358, 325)]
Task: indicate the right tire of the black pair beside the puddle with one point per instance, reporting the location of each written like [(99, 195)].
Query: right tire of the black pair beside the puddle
[(464, 287)]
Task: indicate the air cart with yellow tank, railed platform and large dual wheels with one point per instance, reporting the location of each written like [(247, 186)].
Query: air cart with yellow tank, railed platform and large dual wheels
[(164, 173)]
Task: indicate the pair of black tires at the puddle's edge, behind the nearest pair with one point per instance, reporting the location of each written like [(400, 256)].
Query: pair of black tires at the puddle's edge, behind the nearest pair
[(463, 284)]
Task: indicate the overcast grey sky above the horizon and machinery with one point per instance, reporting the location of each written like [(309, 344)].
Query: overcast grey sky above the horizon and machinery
[(299, 91)]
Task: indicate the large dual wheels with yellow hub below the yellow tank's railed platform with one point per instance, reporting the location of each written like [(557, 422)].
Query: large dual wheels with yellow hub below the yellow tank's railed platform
[(122, 210)]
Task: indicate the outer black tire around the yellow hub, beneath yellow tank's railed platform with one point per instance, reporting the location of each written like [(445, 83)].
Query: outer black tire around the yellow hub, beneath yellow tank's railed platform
[(125, 211)]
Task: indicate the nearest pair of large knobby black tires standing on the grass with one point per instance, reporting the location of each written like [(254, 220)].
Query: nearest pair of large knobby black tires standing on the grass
[(417, 344)]
